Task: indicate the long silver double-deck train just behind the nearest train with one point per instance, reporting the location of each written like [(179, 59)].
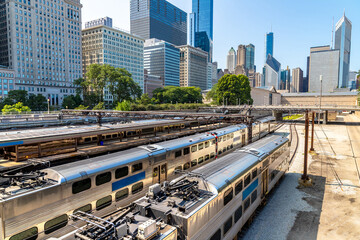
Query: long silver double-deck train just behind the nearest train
[(36, 205)]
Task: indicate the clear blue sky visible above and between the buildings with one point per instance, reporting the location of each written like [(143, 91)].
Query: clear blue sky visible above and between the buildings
[(297, 25)]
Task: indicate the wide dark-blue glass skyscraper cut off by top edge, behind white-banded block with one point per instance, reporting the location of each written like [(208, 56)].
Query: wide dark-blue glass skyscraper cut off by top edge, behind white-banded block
[(158, 19)]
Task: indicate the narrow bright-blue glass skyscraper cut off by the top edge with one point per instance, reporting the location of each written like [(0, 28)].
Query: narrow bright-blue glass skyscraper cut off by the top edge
[(203, 14)]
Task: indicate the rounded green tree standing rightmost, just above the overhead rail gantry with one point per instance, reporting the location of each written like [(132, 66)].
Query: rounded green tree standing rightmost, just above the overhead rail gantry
[(233, 88)]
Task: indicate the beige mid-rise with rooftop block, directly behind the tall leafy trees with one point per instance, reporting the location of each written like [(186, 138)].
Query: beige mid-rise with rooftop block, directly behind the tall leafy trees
[(108, 45)]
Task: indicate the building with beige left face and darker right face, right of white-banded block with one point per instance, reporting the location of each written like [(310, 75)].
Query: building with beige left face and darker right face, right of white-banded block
[(193, 67)]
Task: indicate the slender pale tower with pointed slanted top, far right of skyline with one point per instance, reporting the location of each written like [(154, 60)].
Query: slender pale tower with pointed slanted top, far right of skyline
[(343, 43)]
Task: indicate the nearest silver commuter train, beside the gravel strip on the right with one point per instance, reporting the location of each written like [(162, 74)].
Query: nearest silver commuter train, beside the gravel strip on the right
[(212, 202)]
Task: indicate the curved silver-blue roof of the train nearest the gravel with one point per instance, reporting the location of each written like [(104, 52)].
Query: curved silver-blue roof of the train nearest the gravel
[(226, 169)]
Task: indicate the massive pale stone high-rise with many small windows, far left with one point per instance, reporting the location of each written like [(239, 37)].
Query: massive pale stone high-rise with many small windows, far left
[(41, 41)]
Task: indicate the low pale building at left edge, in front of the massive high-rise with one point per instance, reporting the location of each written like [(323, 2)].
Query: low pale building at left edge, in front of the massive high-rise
[(7, 82)]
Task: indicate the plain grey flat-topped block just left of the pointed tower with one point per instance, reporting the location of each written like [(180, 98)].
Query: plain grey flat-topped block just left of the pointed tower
[(325, 63)]
